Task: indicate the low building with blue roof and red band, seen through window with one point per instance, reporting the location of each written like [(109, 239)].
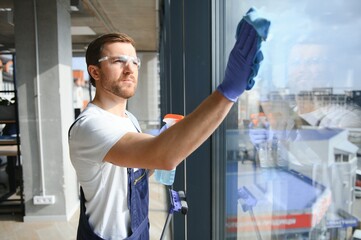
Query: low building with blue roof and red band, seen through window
[(287, 204)]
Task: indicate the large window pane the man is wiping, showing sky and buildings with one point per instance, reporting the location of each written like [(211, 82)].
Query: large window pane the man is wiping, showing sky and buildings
[(293, 141)]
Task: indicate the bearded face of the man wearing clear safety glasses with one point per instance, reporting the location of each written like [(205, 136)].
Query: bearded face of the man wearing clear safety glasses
[(116, 76)]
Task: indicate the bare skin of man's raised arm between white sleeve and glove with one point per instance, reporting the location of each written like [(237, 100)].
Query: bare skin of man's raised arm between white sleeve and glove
[(173, 145)]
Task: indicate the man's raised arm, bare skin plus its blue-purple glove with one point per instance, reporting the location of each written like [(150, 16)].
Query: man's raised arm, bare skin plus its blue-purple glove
[(168, 149)]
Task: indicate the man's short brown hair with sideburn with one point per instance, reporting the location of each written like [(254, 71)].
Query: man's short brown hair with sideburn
[(96, 46)]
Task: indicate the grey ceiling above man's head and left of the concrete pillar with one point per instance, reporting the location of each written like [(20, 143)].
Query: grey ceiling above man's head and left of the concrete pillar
[(137, 18)]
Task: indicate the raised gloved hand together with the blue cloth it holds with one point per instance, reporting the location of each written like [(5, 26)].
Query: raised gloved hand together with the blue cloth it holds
[(245, 57)]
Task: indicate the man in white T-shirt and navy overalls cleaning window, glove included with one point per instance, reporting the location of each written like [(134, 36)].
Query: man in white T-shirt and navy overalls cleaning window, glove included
[(111, 155)]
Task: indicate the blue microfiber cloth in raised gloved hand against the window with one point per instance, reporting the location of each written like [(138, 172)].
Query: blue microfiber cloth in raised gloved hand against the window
[(261, 26)]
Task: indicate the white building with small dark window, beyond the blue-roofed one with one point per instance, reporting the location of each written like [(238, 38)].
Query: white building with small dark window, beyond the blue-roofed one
[(328, 157)]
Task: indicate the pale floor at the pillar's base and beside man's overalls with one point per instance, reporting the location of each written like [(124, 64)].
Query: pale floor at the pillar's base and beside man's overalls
[(13, 228)]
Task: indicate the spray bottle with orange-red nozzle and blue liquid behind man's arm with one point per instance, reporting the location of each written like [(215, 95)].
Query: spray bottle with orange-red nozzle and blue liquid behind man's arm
[(166, 177)]
